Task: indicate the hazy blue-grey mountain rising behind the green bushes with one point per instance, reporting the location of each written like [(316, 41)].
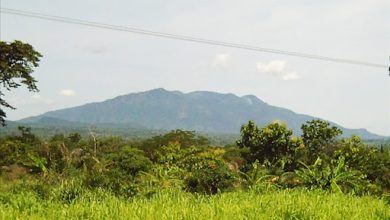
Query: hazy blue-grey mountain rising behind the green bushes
[(200, 111)]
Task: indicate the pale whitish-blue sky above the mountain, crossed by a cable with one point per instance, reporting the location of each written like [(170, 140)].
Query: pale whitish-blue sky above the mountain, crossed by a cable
[(85, 64)]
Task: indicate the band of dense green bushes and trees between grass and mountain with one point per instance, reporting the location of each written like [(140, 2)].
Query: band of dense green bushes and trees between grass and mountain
[(271, 156)]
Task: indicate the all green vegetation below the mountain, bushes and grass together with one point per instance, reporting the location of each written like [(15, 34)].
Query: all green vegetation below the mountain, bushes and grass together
[(268, 173)]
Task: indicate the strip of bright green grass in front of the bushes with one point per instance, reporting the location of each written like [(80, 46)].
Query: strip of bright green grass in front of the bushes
[(260, 204)]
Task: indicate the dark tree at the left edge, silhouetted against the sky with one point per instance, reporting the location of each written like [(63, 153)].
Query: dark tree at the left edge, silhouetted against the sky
[(17, 60)]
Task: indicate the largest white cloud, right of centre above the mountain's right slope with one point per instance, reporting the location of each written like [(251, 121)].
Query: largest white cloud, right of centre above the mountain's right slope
[(277, 68)]
